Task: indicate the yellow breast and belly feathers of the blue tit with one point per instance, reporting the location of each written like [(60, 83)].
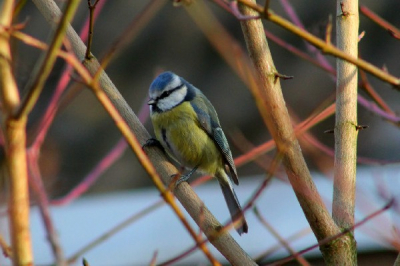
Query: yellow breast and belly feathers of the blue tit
[(180, 133)]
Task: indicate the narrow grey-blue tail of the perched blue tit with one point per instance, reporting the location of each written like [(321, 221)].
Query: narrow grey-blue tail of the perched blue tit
[(234, 206)]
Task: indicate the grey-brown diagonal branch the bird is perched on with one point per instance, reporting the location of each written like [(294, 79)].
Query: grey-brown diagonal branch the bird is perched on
[(193, 205)]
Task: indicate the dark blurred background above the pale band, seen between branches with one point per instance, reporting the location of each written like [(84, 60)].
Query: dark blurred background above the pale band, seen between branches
[(83, 133)]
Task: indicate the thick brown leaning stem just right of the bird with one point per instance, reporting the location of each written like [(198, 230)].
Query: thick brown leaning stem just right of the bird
[(269, 98)]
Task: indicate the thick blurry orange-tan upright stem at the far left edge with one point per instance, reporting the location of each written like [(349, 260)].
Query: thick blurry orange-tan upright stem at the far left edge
[(15, 140)]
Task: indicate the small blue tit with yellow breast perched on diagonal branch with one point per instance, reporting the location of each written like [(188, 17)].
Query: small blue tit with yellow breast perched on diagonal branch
[(187, 126)]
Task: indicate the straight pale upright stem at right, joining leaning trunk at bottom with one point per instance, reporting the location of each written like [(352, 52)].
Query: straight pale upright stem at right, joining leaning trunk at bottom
[(346, 122)]
